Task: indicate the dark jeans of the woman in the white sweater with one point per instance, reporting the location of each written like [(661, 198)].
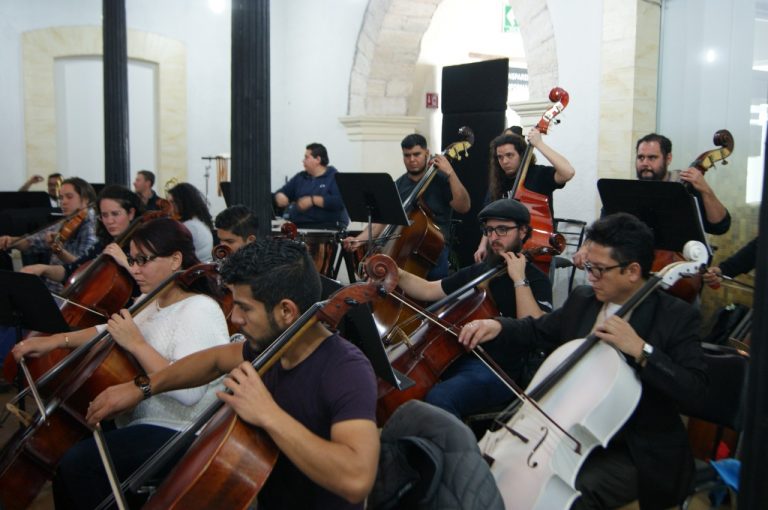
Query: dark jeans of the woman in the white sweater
[(80, 480)]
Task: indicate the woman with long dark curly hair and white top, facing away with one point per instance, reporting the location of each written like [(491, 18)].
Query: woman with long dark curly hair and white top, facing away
[(190, 205)]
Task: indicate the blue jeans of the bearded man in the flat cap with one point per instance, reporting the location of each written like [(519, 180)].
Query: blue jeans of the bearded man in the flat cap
[(468, 387)]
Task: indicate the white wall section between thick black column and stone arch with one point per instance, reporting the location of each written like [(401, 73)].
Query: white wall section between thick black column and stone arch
[(313, 44)]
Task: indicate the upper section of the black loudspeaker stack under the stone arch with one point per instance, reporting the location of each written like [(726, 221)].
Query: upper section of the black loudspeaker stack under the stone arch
[(477, 87)]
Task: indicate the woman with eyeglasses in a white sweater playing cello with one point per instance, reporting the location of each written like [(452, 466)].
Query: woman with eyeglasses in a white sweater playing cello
[(180, 321)]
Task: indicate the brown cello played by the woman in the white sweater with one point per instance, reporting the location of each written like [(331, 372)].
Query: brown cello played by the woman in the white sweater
[(30, 457)]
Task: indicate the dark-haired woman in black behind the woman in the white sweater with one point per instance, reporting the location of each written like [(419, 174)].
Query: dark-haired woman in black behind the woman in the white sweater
[(116, 208)]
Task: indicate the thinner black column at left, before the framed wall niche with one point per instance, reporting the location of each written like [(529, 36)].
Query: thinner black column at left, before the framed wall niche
[(116, 154)]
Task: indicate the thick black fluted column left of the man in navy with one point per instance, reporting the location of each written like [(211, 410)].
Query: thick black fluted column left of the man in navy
[(251, 169)]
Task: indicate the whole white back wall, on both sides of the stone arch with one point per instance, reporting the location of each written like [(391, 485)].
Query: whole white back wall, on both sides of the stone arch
[(312, 47)]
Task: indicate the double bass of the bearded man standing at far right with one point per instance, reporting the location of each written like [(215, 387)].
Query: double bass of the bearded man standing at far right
[(688, 289)]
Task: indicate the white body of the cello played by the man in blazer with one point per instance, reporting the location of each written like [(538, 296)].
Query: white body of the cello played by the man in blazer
[(591, 402)]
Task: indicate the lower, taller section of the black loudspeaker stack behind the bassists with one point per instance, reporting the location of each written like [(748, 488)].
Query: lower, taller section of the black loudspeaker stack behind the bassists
[(473, 172)]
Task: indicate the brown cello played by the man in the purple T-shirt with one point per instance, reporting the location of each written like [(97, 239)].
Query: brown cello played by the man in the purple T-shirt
[(230, 461)]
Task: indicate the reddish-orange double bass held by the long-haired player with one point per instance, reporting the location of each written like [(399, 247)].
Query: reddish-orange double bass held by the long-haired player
[(542, 228)]
